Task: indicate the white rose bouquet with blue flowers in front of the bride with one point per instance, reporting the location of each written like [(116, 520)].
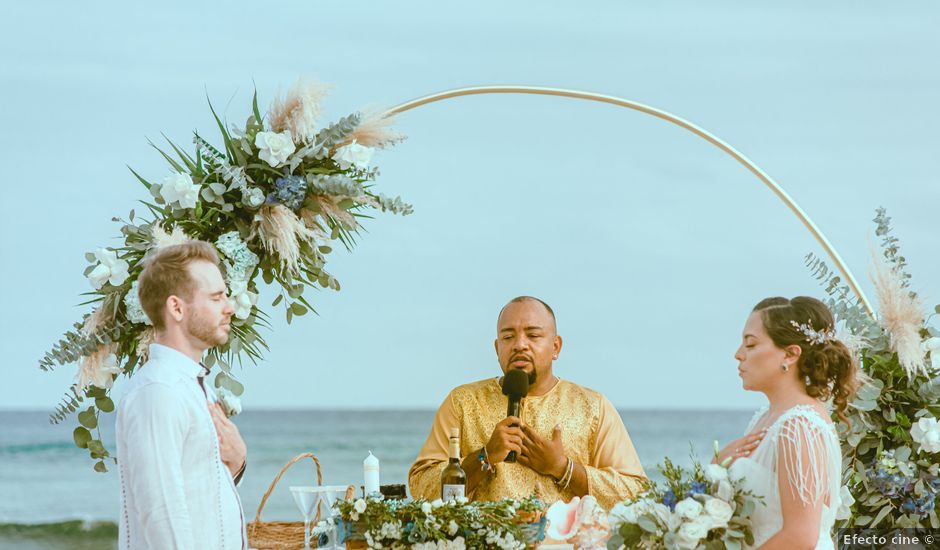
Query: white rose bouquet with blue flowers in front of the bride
[(698, 508)]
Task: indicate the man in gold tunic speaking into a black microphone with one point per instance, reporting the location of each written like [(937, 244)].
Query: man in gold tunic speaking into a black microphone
[(569, 440)]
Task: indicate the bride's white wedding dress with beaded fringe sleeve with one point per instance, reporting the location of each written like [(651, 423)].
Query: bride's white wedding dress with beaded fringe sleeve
[(799, 433)]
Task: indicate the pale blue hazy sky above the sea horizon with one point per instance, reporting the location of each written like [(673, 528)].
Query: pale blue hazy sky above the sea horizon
[(650, 244)]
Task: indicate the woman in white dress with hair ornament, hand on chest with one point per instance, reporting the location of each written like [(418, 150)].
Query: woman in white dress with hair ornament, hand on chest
[(790, 455)]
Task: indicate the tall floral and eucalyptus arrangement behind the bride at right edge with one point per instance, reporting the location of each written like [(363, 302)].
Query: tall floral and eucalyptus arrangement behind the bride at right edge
[(891, 451)]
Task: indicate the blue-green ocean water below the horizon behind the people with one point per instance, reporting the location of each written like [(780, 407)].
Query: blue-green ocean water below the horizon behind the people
[(51, 498)]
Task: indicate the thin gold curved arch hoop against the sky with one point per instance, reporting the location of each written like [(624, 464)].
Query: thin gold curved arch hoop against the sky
[(669, 117)]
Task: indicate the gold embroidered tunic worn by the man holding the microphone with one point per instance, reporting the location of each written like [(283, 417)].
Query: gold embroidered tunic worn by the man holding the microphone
[(592, 433)]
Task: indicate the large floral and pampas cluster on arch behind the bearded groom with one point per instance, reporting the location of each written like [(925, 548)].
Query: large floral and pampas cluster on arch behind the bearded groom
[(272, 199)]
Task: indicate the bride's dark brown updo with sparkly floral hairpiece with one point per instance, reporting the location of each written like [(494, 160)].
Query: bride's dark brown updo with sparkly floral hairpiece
[(826, 365)]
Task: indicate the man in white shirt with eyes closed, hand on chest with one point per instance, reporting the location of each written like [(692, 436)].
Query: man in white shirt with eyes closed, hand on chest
[(178, 455)]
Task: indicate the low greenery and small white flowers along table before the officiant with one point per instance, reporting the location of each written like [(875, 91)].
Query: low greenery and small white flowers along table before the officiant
[(507, 524)]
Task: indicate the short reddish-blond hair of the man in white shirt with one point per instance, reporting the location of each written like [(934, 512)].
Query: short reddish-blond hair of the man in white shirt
[(166, 274)]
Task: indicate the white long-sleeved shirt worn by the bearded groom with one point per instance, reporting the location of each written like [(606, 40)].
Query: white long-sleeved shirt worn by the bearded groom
[(175, 491)]
